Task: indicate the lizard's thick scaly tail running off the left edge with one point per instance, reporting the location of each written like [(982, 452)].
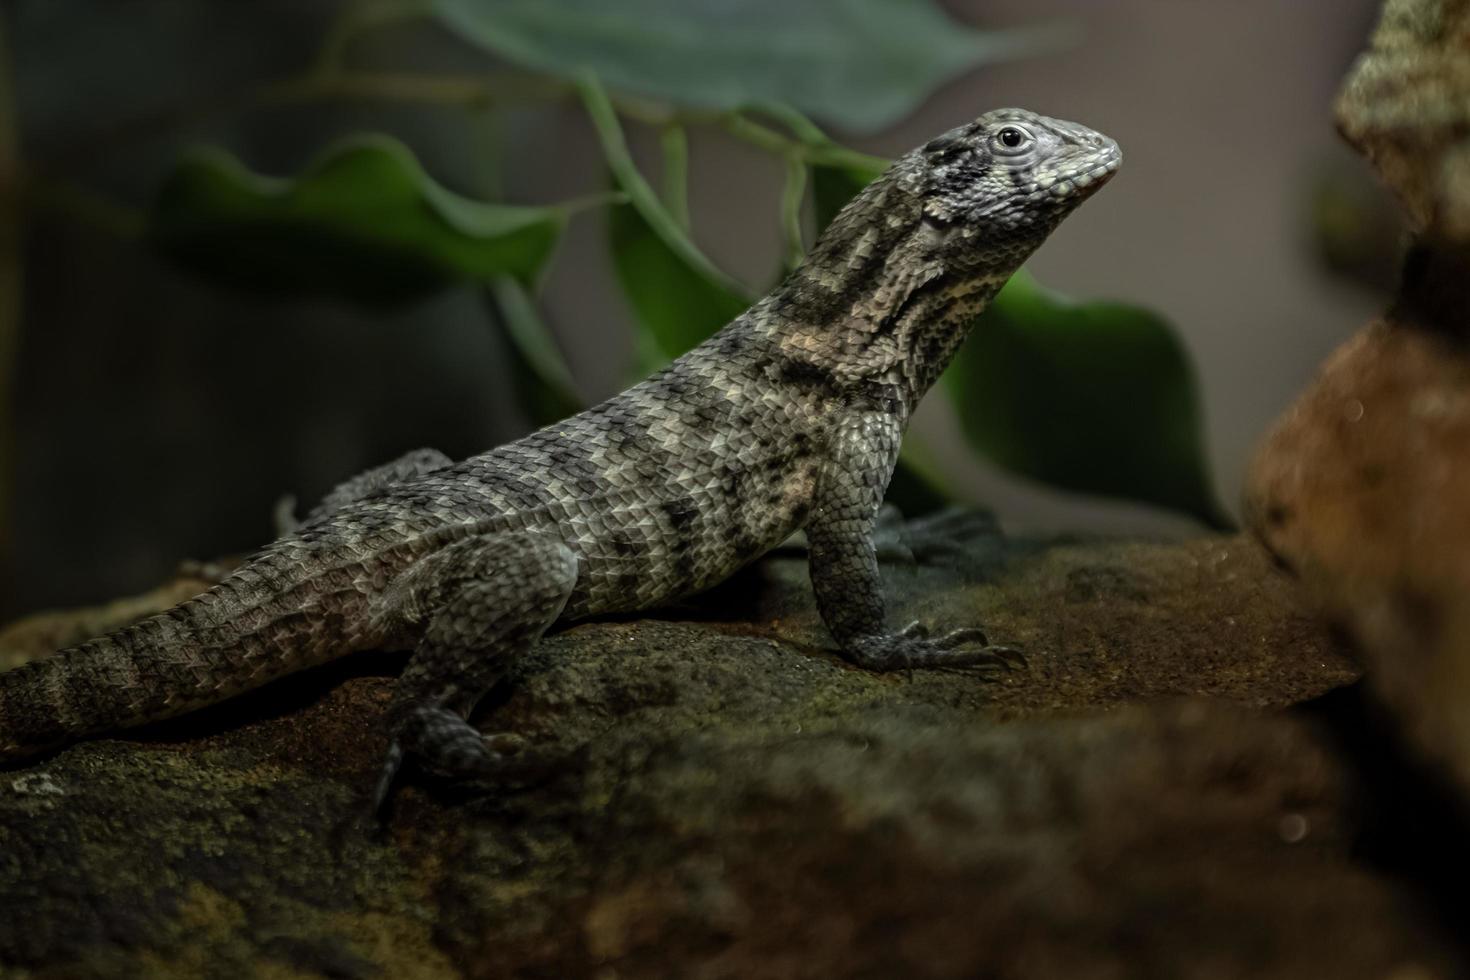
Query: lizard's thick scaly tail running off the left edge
[(245, 633)]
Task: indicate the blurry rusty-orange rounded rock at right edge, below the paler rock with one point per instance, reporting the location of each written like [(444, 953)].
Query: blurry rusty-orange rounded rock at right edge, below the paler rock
[(1363, 490)]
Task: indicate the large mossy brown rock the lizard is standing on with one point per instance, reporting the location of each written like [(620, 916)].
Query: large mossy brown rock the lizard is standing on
[(733, 801)]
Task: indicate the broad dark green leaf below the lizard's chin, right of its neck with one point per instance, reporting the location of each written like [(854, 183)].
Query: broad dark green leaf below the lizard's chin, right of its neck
[(1091, 397)]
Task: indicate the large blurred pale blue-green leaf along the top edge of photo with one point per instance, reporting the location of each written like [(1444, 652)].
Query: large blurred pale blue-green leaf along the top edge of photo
[(858, 64)]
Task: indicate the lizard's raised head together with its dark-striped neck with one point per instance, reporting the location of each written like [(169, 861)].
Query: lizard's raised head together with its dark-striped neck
[(896, 280)]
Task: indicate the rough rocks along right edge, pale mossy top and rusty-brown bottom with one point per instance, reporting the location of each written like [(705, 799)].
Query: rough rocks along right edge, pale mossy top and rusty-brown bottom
[(1363, 487)]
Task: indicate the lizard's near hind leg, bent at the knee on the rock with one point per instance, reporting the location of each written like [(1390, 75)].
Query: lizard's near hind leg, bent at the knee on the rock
[(474, 606)]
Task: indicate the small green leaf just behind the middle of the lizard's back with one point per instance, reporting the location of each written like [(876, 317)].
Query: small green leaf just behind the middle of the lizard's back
[(675, 303)]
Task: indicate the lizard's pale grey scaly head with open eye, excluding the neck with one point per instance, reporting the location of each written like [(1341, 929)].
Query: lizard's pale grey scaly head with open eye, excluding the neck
[(1008, 179)]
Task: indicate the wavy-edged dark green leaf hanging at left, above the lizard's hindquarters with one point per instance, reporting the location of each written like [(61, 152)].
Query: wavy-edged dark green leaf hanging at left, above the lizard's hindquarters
[(364, 223)]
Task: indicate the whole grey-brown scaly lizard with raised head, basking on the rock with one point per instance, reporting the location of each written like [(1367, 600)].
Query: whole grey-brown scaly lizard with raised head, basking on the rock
[(789, 418)]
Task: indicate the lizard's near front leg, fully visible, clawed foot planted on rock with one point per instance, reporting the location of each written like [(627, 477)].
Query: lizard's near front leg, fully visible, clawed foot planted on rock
[(845, 566)]
